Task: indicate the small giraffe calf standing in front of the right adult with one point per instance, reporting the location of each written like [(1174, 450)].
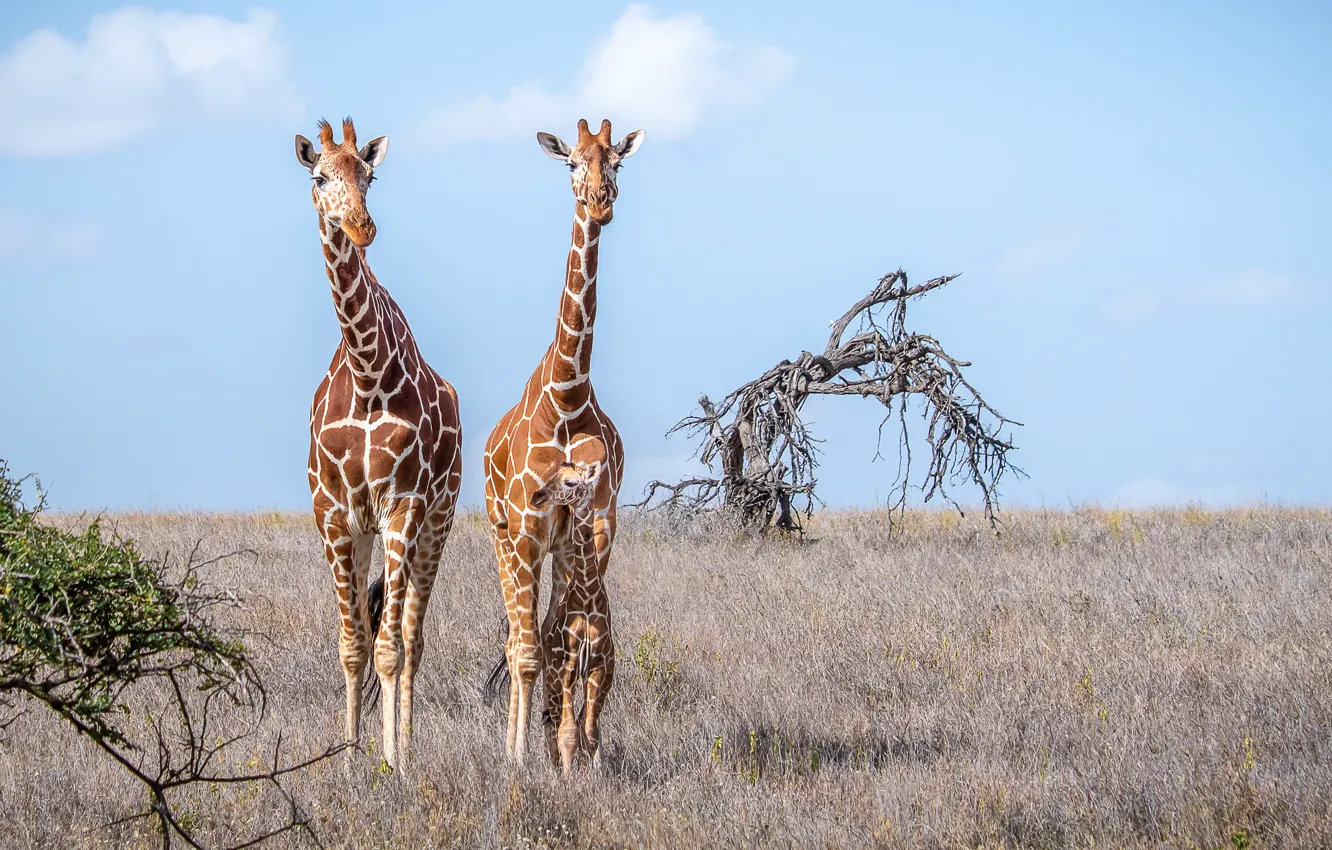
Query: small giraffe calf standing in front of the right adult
[(579, 648)]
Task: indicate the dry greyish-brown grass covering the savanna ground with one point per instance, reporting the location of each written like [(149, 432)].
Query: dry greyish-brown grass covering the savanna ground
[(1154, 679)]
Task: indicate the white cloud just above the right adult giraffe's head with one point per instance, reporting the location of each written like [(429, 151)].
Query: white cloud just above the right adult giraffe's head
[(661, 74)]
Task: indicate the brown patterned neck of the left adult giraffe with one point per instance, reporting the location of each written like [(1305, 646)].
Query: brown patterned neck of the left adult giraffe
[(356, 303)]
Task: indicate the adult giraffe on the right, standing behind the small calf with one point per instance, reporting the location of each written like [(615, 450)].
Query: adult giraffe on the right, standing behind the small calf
[(557, 420)]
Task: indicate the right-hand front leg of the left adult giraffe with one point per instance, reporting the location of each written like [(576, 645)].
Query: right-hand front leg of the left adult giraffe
[(400, 551)]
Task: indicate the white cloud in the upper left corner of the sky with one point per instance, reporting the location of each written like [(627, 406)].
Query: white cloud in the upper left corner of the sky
[(138, 71)]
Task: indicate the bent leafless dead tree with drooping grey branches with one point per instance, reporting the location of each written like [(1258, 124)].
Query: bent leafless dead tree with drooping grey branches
[(761, 456)]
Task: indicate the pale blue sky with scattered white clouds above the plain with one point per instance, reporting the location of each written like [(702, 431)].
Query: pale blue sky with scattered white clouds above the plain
[(1137, 197)]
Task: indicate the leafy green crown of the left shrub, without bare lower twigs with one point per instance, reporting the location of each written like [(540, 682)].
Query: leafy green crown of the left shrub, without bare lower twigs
[(83, 616)]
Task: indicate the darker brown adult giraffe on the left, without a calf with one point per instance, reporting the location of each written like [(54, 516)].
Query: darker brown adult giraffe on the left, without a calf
[(386, 446)]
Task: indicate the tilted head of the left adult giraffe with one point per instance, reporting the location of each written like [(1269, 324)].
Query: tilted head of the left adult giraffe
[(343, 177)]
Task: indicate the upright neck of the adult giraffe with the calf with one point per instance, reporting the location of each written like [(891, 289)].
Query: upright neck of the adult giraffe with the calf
[(572, 351)]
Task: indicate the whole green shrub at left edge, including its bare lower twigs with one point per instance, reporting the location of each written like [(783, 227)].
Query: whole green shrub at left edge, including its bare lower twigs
[(86, 619)]
